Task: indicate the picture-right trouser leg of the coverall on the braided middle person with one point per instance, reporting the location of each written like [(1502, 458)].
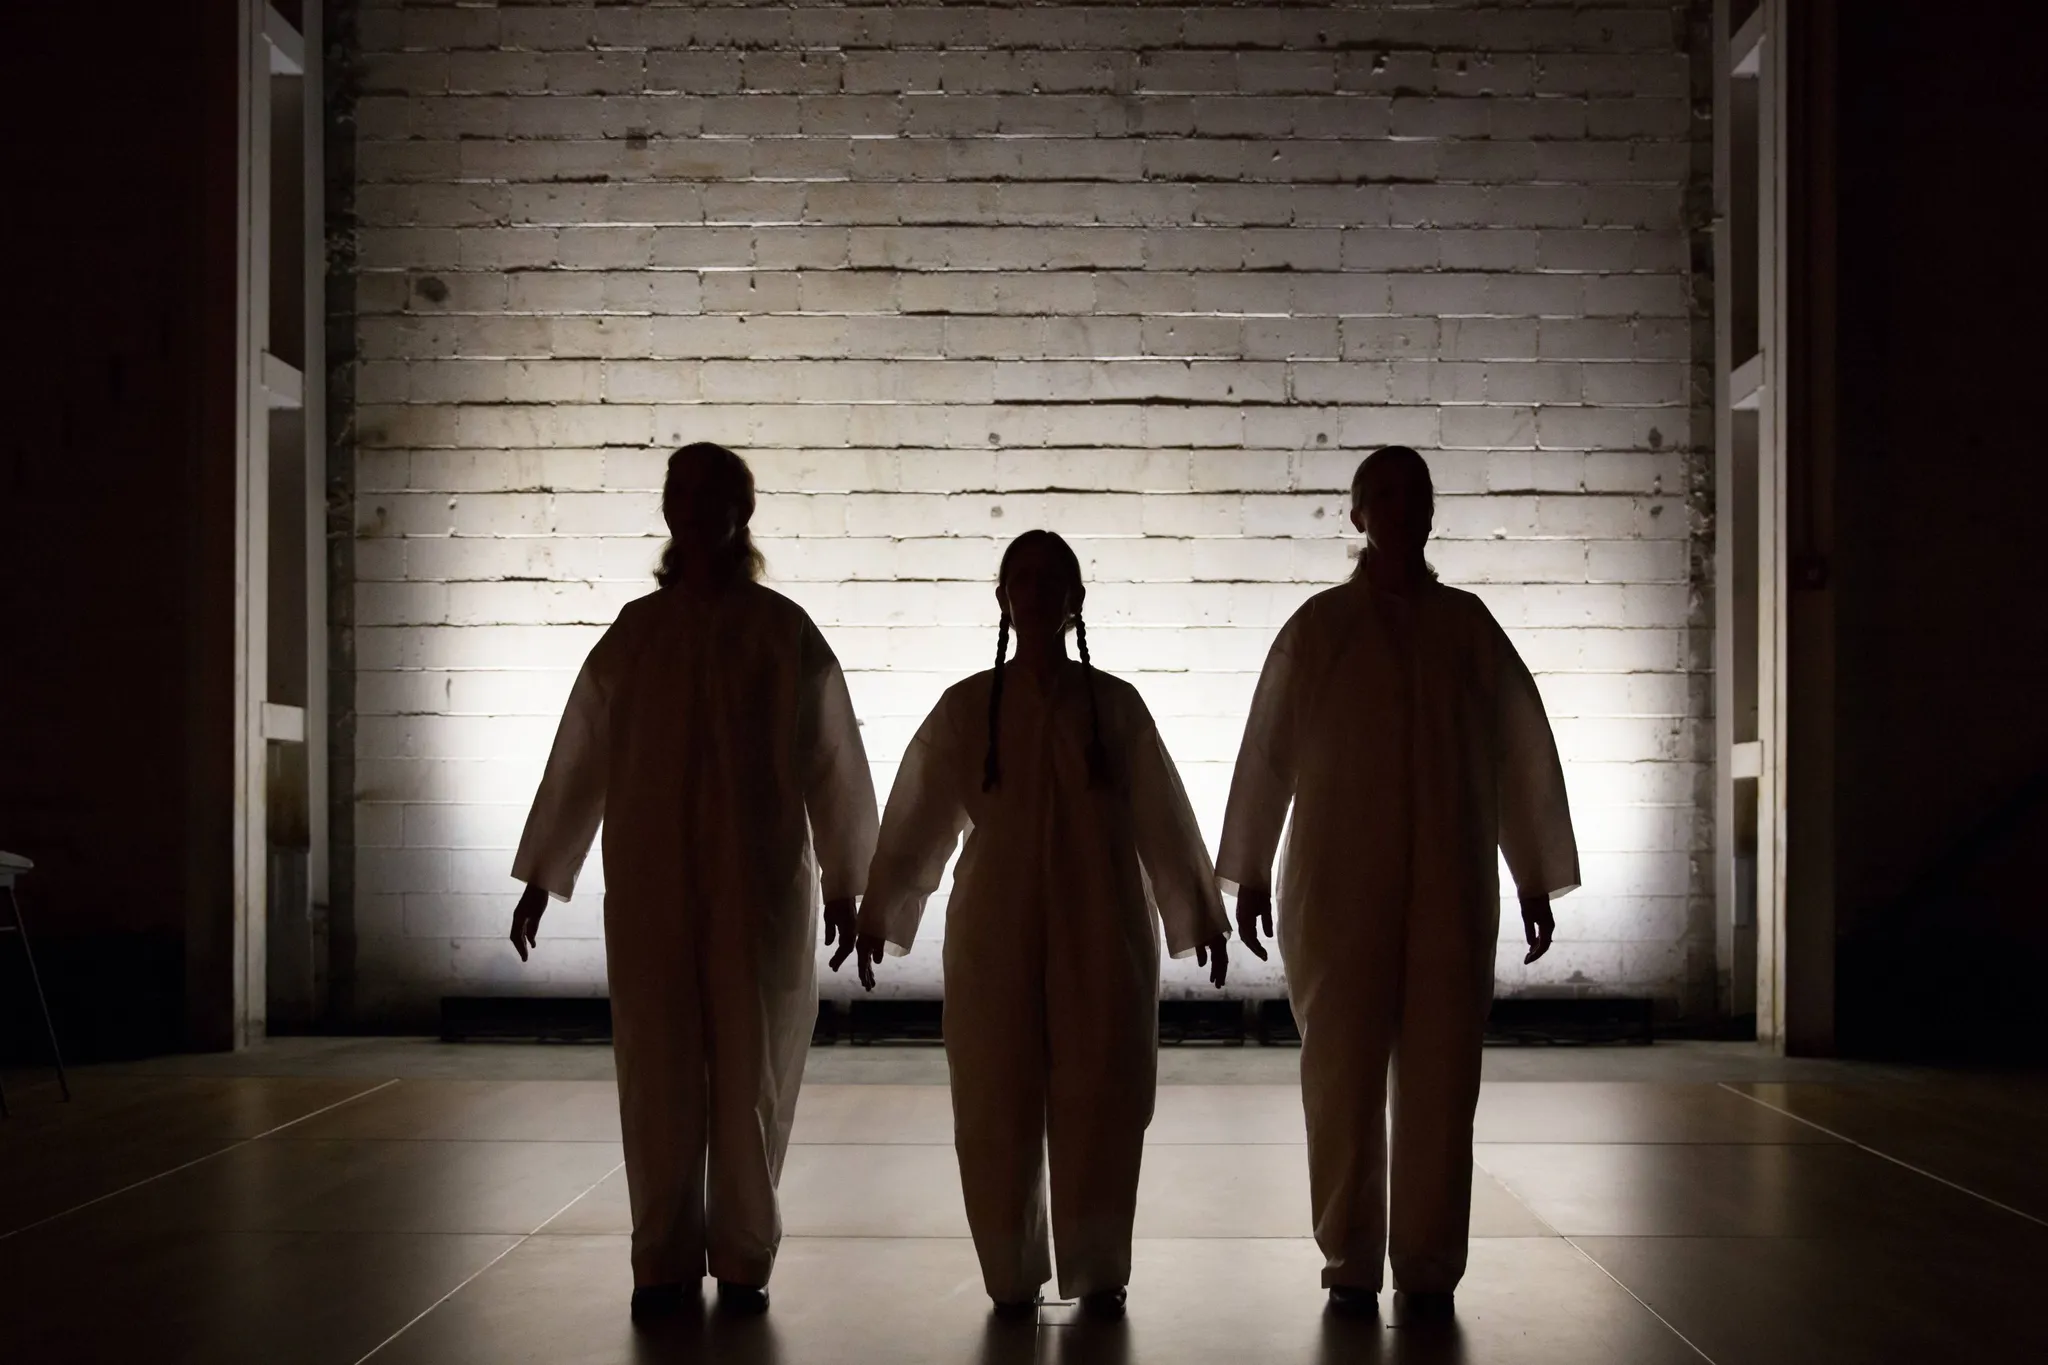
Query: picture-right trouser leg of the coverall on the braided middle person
[(1099, 1104)]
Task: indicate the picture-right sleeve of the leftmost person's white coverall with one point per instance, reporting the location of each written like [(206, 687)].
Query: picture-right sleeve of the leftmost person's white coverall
[(839, 791)]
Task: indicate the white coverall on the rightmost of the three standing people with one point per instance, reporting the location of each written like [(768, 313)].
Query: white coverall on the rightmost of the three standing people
[(1412, 744)]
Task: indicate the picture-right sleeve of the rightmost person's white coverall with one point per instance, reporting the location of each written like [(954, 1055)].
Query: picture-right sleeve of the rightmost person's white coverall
[(1537, 838)]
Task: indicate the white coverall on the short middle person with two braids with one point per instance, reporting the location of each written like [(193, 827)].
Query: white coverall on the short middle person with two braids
[(1052, 957)]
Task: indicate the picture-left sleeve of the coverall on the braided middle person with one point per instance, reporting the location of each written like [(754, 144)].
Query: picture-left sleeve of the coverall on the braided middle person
[(921, 830)]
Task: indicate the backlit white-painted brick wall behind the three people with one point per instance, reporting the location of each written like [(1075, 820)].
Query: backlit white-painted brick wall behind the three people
[(1150, 275)]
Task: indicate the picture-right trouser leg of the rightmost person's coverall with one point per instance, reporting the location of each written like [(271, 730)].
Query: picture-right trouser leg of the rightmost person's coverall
[(1435, 1098)]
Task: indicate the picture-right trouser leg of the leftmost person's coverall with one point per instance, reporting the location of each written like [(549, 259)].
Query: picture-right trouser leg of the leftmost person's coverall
[(759, 1018)]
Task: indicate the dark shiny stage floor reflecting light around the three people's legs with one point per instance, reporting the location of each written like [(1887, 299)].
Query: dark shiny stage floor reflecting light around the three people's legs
[(404, 1202)]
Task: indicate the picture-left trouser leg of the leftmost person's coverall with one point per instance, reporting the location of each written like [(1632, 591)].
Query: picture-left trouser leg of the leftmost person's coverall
[(658, 1047)]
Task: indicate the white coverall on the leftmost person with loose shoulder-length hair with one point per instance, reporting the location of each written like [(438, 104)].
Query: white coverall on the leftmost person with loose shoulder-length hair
[(718, 744)]
